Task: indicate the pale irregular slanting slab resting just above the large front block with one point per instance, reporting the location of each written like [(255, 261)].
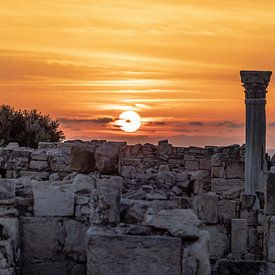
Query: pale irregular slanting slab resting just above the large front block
[(179, 222)]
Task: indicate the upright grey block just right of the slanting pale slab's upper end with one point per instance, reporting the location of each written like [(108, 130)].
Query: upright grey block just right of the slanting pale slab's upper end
[(211, 208)]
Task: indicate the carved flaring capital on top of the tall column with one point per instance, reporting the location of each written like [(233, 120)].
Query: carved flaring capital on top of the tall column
[(255, 83)]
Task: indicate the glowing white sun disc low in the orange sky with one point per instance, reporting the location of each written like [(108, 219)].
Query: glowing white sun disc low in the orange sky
[(129, 121)]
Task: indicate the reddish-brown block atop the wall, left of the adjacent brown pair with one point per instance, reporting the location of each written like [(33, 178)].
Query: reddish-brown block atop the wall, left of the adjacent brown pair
[(82, 159)]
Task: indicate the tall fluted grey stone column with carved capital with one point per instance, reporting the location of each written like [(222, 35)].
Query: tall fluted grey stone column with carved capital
[(255, 84)]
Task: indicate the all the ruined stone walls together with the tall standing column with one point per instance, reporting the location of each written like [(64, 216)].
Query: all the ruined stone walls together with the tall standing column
[(102, 208)]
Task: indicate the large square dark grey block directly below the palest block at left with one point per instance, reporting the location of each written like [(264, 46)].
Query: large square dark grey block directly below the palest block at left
[(39, 237)]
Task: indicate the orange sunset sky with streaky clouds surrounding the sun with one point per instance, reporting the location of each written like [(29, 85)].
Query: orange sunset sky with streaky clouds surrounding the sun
[(175, 62)]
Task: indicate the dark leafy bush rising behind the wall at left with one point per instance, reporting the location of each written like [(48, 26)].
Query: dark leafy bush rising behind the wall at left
[(27, 127)]
